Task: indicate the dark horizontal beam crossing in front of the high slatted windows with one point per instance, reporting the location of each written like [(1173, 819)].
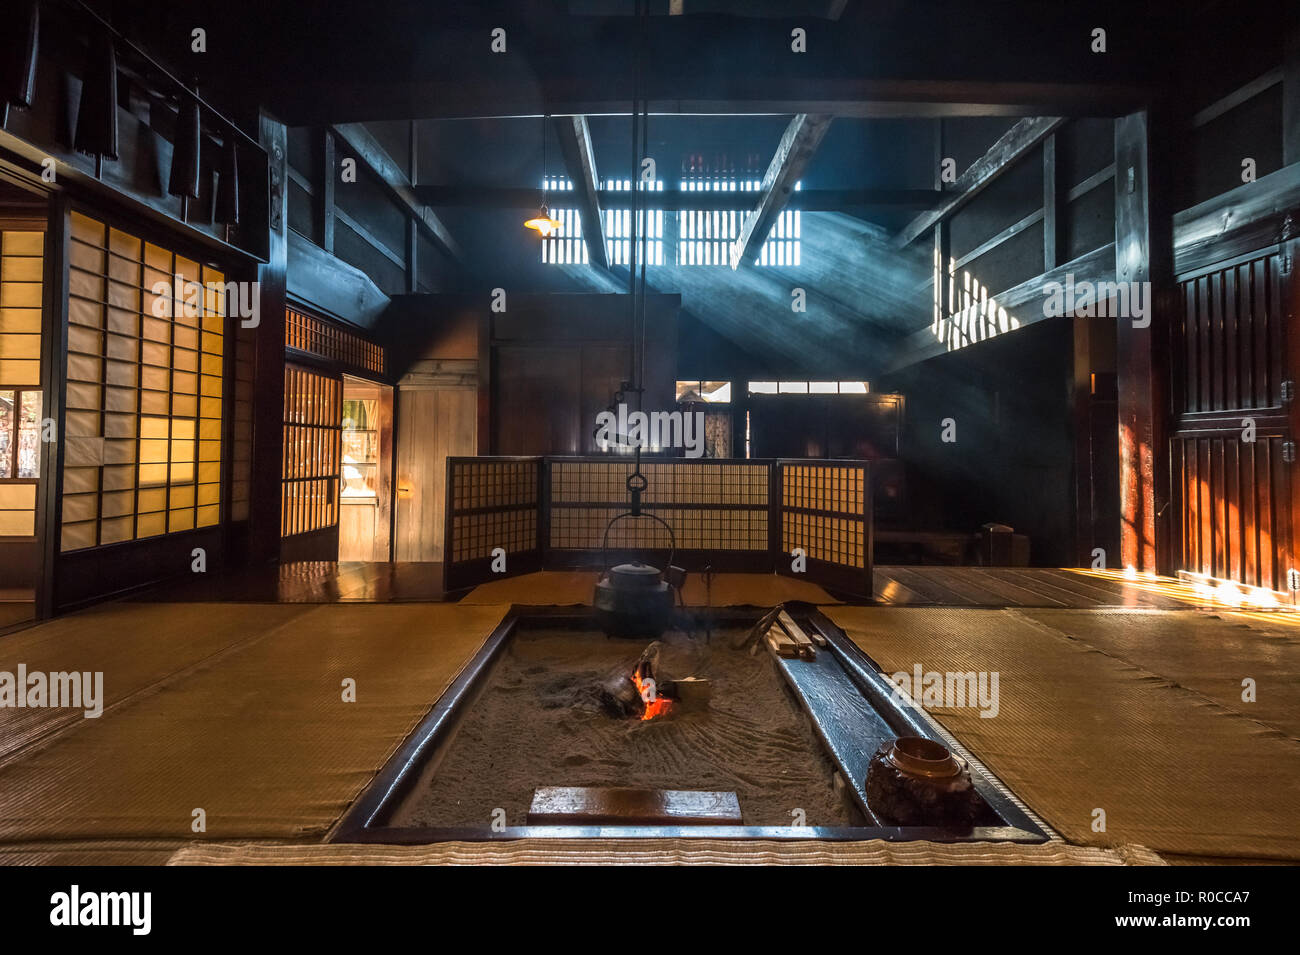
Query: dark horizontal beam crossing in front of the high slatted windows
[(674, 199)]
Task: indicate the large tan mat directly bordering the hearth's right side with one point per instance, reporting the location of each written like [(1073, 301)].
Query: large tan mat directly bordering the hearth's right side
[(1081, 731)]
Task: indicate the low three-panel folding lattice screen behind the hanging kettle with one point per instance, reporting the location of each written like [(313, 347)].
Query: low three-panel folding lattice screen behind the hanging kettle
[(726, 515)]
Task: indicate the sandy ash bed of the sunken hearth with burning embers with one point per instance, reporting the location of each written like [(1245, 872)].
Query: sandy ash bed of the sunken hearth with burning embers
[(562, 710)]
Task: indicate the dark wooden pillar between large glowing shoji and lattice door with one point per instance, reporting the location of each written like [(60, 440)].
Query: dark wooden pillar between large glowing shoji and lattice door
[(270, 364)]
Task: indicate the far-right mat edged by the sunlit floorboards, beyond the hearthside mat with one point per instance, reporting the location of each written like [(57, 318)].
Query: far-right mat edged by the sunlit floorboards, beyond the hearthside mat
[(1203, 653)]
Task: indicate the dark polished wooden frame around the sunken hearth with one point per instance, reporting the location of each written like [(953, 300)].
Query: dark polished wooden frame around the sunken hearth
[(422, 752)]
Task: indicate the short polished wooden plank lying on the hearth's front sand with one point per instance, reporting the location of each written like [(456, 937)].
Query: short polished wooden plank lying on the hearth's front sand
[(626, 806)]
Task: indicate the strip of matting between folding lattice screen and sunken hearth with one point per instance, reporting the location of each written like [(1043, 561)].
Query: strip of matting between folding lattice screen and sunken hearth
[(577, 589)]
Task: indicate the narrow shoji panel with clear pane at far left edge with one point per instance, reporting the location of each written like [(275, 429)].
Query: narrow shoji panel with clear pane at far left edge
[(21, 267)]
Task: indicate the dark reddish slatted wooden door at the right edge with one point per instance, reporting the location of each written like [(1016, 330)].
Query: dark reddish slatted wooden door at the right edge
[(1234, 419)]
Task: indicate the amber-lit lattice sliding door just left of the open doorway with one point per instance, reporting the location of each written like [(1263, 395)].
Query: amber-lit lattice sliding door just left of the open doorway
[(314, 431)]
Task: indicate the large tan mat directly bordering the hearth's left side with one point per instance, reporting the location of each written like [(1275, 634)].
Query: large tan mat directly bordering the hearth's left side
[(263, 741)]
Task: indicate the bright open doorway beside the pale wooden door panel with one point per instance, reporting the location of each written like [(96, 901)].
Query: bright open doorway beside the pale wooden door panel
[(366, 477)]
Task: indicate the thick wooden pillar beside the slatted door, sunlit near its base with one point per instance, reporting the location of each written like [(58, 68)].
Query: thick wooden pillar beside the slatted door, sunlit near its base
[(1145, 254)]
